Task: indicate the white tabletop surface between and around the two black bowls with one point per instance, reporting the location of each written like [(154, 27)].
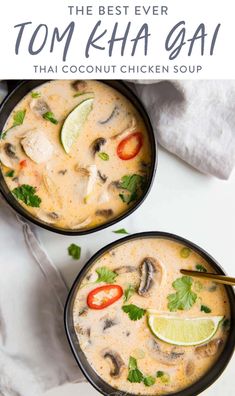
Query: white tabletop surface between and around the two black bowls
[(182, 201)]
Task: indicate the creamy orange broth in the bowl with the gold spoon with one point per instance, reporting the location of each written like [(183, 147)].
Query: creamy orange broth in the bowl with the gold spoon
[(113, 343)]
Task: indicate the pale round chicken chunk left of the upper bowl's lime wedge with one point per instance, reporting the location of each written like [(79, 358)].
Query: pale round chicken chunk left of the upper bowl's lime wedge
[(37, 146)]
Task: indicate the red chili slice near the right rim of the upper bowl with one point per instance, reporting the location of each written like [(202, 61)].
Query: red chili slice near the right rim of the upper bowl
[(129, 147)]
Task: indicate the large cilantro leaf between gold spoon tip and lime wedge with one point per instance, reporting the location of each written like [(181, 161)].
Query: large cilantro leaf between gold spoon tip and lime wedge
[(184, 298)]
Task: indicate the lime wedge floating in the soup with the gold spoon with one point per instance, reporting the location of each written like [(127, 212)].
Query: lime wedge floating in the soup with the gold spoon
[(183, 331)]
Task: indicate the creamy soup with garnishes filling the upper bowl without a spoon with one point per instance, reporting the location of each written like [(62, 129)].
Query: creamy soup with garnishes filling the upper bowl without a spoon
[(89, 182)]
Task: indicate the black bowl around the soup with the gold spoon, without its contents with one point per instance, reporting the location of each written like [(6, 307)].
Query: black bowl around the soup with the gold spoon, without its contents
[(103, 387)]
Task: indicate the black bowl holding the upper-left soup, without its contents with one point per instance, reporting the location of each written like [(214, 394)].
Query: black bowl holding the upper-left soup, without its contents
[(9, 104)]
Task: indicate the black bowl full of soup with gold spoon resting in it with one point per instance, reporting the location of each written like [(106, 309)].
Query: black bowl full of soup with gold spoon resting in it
[(137, 326)]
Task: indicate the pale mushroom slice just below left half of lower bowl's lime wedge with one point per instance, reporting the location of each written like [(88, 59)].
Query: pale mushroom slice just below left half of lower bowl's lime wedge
[(169, 358)]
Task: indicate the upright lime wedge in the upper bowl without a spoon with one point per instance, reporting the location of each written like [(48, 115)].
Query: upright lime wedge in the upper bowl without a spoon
[(73, 124)]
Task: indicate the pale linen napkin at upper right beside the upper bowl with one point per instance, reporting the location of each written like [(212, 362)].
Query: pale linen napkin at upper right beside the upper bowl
[(194, 120)]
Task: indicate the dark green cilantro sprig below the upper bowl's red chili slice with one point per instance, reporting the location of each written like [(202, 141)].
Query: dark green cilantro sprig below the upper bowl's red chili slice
[(134, 184)]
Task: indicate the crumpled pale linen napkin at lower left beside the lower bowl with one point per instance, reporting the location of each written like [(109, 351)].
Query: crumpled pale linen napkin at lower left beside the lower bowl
[(34, 353)]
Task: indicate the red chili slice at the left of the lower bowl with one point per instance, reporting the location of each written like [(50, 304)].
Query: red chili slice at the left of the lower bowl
[(103, 296)]
